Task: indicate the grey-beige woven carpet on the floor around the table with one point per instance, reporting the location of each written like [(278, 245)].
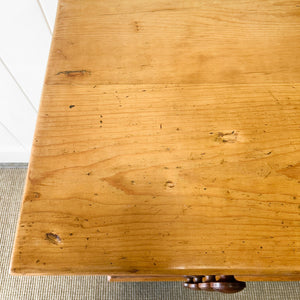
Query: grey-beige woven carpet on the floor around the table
[(97, 287)]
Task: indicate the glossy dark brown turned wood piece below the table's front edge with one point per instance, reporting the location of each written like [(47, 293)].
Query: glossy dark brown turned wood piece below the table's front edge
[(225, 284)]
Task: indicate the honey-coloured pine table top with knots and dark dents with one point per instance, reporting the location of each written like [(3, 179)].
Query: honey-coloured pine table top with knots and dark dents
[(167, 141)]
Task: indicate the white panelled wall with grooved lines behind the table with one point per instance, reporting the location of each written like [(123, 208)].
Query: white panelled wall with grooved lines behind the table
[(25, 35)]
